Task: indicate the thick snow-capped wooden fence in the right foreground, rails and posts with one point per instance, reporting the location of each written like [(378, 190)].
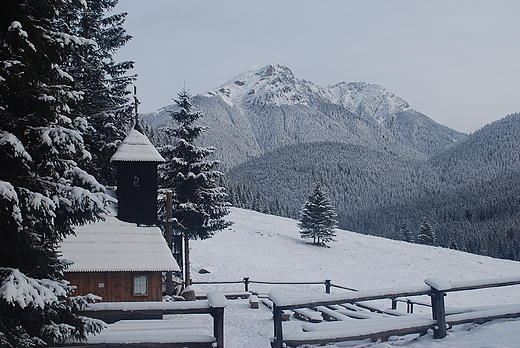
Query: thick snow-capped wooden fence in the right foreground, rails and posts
[(436, 289)]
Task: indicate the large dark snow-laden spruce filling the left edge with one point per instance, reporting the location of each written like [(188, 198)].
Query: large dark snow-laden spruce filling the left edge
[(43, 191)]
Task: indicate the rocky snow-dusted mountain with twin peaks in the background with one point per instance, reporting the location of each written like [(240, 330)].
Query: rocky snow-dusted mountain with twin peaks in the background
[(264, 108)]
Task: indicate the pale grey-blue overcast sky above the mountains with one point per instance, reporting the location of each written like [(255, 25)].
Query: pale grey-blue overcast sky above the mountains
[(456, 61)]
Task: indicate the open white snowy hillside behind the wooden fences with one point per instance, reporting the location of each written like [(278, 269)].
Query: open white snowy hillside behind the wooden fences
[(269, 248)]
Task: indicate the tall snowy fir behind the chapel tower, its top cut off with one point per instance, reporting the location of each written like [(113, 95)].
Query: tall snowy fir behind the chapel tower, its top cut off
[(105, 103)]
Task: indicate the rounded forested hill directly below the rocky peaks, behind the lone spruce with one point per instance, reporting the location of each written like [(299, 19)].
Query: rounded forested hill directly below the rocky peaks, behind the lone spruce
[(356, 176)]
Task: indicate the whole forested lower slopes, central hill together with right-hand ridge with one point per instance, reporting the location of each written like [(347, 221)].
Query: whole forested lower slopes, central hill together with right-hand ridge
[(469, 193)]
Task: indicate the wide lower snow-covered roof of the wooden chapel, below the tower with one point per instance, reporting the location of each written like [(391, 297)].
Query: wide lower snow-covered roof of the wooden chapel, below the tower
[(113, 245)]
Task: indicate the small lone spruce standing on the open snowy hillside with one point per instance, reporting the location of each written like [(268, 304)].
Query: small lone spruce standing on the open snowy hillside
[(317, 218)]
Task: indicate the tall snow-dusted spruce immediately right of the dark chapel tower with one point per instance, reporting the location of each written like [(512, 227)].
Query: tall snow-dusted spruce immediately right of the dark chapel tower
[(199, 203)]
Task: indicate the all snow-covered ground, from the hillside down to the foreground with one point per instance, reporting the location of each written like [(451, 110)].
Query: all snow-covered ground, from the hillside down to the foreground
[(268, 248)]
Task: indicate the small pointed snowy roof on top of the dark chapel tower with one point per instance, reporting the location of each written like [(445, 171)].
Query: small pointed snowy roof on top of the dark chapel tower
[(136, 148)]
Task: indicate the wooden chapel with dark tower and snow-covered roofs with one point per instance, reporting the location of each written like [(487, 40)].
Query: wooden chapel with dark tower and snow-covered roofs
[(123, 257)]
